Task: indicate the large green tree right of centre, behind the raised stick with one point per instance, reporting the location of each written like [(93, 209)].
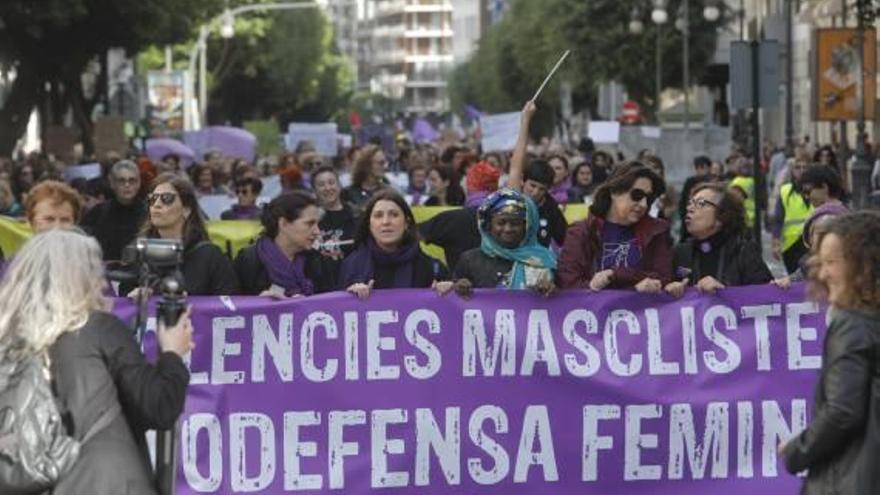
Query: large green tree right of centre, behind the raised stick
[(516, 54)]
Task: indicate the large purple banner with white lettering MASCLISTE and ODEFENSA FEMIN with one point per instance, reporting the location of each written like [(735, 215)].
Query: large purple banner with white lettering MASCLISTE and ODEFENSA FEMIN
[(412, 393)]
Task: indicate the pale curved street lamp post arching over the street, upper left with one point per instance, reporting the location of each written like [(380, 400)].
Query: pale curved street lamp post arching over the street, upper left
[(199, 51)]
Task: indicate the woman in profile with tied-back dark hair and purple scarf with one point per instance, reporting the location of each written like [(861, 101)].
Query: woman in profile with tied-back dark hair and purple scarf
[(282, 262)]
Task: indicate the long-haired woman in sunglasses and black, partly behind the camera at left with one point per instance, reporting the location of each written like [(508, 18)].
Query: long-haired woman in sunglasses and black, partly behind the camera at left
[(174, 215)]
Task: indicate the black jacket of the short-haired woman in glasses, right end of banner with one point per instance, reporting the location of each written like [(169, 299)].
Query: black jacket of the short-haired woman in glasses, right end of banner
[(740, 263)]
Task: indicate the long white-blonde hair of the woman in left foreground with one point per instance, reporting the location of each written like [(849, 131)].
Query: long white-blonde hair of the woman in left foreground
[(51, 287)]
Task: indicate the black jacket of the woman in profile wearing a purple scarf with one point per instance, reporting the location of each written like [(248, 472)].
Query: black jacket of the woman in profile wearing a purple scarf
[(254, 278)]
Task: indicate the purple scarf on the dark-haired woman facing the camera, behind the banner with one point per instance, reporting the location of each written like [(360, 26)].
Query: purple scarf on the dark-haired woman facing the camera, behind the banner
[(370, 255)]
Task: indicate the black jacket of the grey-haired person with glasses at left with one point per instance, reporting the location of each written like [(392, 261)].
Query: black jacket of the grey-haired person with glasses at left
[(114, 225)]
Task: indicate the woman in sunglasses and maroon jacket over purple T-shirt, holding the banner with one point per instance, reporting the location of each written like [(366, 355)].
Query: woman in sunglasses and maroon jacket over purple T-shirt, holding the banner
[(619, 245)]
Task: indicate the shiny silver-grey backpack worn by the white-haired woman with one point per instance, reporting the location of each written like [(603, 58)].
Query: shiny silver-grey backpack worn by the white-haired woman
[(35, 448)]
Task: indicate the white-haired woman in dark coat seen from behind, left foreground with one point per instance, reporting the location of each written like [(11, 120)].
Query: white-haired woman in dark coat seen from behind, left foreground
[(53, 307)]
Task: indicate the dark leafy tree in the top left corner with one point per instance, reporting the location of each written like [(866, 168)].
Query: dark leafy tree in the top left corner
[(50, 43)]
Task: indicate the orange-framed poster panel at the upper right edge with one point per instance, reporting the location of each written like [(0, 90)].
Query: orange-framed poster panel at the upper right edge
[(837, 66)]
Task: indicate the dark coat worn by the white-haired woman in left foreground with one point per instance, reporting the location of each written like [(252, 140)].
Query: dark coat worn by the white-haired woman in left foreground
[(96, 368)]
